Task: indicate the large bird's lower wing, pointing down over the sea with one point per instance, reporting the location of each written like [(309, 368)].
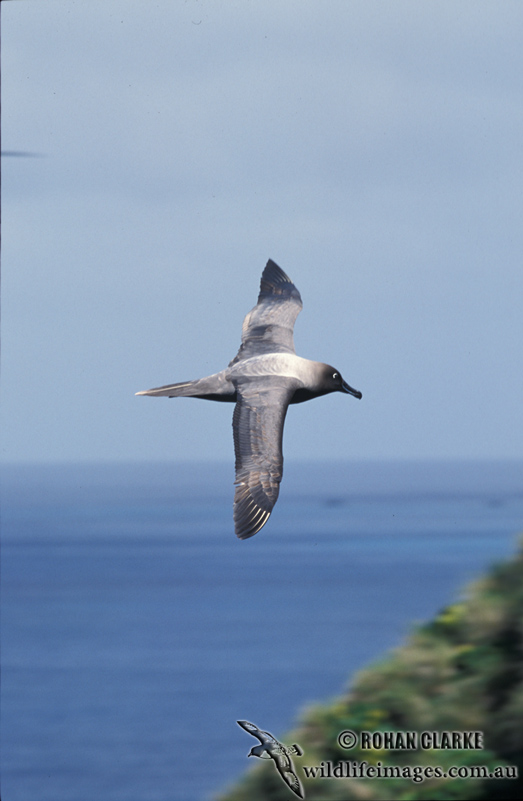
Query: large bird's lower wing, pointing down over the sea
[(258, 430)]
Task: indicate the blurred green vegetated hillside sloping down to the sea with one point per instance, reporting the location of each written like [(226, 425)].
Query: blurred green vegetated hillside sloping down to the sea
[(461, 672)]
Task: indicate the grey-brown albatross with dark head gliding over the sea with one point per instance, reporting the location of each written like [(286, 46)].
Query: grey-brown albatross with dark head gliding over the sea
[(262, 380)]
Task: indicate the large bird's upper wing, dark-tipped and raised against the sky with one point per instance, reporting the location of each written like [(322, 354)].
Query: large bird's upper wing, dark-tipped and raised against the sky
[(268, 328)]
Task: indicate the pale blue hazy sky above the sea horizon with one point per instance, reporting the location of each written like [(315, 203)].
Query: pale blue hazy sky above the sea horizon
[(372, 149)]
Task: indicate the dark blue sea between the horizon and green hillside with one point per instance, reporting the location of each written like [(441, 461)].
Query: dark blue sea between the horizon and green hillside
[(136, 628)]
